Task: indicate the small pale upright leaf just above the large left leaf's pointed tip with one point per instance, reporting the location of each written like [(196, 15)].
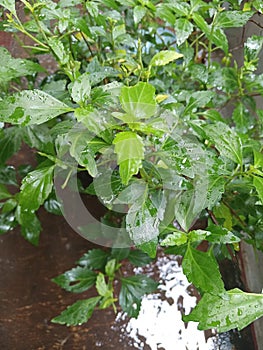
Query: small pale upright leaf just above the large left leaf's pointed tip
[(81, 88)]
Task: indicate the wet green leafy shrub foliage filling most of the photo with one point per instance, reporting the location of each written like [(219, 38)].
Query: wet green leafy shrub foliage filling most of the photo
[(136, 105)]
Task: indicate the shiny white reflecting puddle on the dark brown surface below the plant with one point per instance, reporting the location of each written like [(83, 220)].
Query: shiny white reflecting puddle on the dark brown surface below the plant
[(159, 325)]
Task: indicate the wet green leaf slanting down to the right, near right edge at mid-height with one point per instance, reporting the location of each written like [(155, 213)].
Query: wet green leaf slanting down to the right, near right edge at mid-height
[(226, 141)]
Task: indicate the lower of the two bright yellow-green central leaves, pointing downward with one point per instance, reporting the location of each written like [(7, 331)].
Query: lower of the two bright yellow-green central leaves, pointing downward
[(129, 148)]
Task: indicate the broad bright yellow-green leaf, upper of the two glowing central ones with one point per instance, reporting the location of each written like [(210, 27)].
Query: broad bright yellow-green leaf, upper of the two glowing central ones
[(138, 101)]
